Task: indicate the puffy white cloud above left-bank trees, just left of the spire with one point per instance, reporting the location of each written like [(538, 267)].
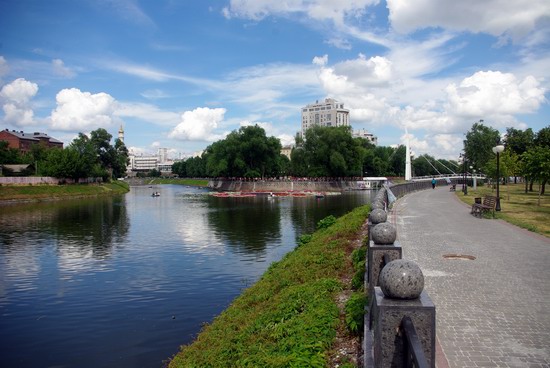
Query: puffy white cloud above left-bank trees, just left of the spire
[(77, 110)]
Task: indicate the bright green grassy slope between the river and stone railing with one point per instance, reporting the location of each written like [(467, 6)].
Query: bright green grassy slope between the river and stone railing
[(291, 316)]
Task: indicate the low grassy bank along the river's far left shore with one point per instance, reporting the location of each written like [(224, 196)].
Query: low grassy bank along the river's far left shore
[(48, 192)]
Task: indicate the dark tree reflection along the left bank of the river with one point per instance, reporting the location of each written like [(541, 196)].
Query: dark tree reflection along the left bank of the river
[(88, 226)]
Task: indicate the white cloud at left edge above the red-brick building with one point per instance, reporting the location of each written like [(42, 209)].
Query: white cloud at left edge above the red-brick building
[(16, 98)]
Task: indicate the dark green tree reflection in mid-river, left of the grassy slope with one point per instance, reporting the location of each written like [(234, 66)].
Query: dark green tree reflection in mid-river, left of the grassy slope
[(244, 224)]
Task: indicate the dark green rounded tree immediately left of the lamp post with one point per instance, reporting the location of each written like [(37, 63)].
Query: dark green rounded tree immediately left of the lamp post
[(479, 143)]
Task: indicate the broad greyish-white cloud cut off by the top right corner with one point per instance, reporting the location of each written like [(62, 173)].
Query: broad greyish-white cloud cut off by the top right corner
[(496, 17)]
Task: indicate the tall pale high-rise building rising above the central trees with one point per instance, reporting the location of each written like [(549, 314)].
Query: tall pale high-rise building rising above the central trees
[(330, 113)]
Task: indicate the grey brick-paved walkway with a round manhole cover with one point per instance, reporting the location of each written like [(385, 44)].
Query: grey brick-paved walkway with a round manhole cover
[(493, 311)]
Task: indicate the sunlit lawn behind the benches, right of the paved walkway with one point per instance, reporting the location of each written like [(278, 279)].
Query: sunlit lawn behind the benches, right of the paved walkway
[(518, 208)]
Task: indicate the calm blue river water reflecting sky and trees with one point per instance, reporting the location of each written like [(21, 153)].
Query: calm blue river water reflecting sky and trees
[(124, 281)]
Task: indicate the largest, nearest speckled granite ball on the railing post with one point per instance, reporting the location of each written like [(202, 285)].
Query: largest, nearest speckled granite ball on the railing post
[(401, 279)]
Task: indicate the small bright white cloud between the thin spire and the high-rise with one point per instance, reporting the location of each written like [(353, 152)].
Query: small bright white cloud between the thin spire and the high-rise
[(198, 125)]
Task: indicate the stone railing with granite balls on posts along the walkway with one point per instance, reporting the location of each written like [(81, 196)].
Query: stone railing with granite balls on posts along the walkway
[(400, 317)]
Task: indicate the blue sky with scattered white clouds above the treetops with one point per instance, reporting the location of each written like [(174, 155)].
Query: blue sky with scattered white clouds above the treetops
[(182, 74)]
